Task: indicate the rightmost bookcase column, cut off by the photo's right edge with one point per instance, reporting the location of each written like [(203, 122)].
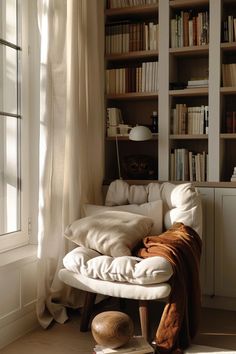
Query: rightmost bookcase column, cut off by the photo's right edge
[(228, 89)]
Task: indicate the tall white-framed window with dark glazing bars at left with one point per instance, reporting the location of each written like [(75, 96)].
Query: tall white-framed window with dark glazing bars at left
[(13, 126)]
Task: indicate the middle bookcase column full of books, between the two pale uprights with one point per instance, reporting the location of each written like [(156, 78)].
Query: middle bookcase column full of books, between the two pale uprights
[(189, 63)]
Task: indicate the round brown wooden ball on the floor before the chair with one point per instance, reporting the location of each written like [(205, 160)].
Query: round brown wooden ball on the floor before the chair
[(112, 329)]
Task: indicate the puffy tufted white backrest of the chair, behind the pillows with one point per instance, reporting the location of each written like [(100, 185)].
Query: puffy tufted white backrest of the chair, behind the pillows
[(181, 203)]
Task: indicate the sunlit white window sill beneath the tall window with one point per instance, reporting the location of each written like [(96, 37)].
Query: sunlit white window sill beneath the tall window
[(19, 255)]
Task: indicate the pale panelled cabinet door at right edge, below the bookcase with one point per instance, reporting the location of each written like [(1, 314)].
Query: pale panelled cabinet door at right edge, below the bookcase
[(225, 242)]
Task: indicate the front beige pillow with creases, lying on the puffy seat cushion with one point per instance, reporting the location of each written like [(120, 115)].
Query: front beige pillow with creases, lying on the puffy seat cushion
[(113, 233)]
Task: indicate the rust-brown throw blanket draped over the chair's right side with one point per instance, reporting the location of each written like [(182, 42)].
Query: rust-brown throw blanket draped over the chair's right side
[(181, 245)]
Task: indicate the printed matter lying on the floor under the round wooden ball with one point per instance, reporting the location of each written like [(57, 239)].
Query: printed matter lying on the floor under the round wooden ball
[(136, 345)]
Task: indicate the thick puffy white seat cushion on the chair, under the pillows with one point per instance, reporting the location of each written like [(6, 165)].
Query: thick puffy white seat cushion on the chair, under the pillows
[(135, 270)]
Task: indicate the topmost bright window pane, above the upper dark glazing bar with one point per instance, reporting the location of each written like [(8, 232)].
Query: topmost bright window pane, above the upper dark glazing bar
[(8, 23)]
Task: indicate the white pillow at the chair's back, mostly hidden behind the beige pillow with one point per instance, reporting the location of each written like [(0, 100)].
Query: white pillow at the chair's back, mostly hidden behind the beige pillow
[(152, 210)]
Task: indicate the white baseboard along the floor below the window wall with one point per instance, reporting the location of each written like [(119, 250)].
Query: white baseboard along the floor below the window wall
[(17, 328)]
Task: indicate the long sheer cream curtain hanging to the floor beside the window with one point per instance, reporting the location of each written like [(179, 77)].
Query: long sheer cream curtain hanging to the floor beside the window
[(71, 135)]
